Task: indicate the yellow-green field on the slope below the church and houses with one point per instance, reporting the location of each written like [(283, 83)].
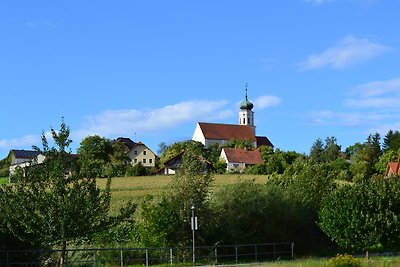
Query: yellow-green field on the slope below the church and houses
[(124, 189)]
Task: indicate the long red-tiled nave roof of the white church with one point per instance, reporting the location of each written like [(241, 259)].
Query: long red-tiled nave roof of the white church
[(221, 131)]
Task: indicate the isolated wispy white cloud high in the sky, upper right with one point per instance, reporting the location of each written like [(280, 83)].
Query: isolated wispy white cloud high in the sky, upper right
[(348, 51)]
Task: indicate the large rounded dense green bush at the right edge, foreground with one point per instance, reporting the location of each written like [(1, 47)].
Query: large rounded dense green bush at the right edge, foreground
[(364, 215)]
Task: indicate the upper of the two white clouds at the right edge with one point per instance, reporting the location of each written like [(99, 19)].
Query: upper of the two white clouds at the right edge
[(378, 94)]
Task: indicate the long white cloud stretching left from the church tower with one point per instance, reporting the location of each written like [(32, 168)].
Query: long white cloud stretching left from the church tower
[(125, 122)]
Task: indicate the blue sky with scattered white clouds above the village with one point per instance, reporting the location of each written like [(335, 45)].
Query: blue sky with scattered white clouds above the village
[(150, 70)]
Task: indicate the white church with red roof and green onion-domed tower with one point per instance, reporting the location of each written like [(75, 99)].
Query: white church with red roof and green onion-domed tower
[(211, 133)]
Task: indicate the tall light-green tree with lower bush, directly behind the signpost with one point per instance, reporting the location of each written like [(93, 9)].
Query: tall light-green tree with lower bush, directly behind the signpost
[(166, 223)]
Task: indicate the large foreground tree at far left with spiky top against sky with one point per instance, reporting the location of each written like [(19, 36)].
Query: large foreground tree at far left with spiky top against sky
[(55, 204)]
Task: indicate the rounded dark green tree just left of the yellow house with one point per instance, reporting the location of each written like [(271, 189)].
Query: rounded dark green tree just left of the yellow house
[(94, 154)]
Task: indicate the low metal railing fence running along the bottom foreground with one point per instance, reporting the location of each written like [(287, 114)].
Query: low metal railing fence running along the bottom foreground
[(205, 255)]
